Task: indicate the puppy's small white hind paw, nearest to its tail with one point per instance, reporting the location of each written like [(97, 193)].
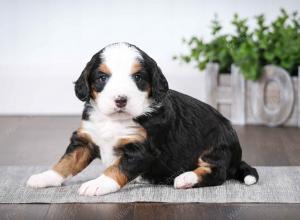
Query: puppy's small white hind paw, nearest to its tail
[(186, 180)]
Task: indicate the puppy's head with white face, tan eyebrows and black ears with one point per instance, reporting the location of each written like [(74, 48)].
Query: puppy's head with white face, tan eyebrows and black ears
[(121, 80)]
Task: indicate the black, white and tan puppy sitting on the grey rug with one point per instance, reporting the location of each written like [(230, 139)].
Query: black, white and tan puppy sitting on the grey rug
[(139, 127)]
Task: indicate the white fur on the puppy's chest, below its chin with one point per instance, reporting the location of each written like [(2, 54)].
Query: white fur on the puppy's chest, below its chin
[(106, 133)]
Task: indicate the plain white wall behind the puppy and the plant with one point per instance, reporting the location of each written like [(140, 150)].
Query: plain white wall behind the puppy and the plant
[(44, 45)]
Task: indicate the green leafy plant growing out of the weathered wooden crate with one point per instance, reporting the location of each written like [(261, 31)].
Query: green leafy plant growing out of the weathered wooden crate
[(275, 43)]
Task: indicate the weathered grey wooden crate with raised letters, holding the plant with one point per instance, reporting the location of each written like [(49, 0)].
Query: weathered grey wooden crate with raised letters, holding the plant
[(272, 100)]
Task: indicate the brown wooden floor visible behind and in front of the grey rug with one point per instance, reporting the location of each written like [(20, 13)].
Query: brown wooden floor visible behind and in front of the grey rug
[(42, 140)]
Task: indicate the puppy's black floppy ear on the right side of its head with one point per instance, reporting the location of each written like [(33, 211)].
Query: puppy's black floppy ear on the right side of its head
[(160, 85)]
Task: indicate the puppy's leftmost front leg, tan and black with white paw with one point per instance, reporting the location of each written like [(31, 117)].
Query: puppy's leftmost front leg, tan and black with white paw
[(79, 154)]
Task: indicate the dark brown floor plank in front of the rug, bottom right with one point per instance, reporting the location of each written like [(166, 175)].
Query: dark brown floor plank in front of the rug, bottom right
[(216, 211)]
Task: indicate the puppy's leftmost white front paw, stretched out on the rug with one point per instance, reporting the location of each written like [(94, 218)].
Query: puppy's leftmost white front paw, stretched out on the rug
[(45, 179)]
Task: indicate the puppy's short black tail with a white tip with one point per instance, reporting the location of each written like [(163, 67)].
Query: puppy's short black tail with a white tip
[(246, 174)]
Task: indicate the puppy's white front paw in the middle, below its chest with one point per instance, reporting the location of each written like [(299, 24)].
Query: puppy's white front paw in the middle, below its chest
[(100, 186)]
